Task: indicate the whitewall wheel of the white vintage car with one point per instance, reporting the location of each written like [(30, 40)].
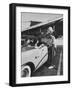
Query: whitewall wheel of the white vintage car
[(26, 71)]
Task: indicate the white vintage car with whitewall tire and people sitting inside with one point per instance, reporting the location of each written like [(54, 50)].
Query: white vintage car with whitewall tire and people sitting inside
[(33, 55)]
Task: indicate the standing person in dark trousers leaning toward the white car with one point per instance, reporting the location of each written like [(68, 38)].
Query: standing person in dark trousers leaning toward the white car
[(48, 39)]
